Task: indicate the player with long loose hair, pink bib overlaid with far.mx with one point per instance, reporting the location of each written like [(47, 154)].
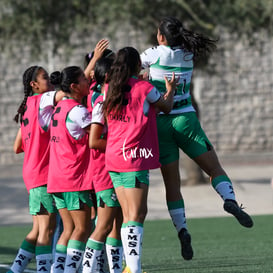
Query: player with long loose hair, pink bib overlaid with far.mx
[(132, 146)]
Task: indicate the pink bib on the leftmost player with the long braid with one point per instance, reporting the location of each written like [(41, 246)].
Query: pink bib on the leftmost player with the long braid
[(35, 143)]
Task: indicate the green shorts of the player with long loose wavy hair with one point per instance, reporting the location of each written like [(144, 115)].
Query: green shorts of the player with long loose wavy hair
[(129, 179)]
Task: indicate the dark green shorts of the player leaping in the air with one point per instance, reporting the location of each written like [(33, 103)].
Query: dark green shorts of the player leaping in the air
[(181, 131)]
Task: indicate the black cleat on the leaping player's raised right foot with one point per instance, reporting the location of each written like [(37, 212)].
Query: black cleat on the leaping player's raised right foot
[(243, 218)]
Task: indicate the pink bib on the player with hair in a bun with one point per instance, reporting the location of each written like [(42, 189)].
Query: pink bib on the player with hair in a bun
[(69, 158)]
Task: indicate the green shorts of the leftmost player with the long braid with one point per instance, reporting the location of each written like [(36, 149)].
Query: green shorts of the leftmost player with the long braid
[(41, 202)]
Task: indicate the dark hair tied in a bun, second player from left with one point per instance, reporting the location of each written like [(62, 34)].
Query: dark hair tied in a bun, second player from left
[(65, 78)]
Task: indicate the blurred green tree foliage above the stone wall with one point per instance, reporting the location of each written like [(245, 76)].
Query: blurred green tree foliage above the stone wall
[(35, 22)]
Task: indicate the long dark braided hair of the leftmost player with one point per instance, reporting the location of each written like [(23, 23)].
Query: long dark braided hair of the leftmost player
[(29, 75)]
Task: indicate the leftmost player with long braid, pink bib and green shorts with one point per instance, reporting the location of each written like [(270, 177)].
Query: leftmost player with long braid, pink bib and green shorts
[(33, 137)]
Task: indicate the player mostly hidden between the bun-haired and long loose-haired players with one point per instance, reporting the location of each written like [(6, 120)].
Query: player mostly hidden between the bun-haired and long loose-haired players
[(109, 216)]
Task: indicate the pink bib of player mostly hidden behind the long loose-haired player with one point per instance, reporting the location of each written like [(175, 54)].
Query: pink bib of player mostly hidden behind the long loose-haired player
[(101, 178)]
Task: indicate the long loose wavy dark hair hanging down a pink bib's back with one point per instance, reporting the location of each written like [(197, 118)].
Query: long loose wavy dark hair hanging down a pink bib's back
[(126, 64)]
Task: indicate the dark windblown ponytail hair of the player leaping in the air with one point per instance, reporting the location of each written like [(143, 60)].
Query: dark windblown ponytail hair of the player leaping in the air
[(192, 42)]
